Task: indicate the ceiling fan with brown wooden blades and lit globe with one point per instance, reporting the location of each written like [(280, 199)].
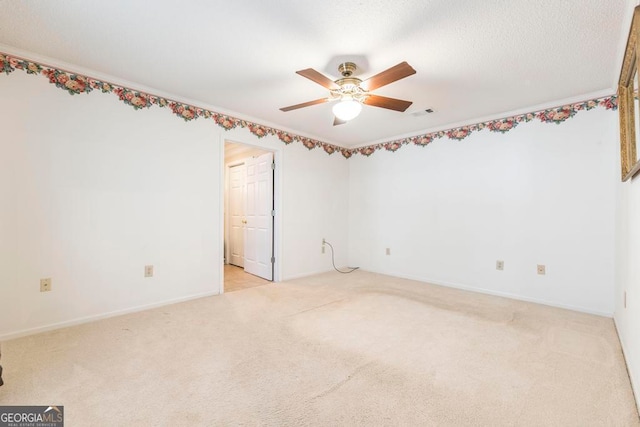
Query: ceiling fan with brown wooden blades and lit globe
[(353, 92)]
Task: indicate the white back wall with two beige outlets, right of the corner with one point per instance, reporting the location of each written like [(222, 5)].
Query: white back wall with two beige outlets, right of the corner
[(540, 194)]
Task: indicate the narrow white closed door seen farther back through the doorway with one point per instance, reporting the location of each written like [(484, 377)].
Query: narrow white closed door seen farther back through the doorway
[(236, 214)]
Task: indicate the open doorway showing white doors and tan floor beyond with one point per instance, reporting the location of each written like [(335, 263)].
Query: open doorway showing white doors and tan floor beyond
[(249, 214)]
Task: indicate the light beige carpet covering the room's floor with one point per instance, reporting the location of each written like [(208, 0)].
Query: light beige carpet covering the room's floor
[(330, 350)]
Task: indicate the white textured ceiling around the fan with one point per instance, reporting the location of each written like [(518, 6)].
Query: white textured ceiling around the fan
[(474, 59)]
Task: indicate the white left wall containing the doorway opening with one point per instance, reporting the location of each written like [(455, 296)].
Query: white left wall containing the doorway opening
[(91, 191)]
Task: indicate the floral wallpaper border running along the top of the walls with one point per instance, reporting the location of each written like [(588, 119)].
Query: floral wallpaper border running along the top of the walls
[(76, 84)]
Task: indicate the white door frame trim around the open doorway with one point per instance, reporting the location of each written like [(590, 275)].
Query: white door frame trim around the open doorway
[(277, 202)]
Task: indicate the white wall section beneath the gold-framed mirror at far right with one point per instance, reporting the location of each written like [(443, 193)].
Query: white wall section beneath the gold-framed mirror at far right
[(628, 277)]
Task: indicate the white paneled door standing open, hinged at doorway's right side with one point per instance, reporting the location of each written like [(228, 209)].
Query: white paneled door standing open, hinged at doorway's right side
[(258, 240)]
